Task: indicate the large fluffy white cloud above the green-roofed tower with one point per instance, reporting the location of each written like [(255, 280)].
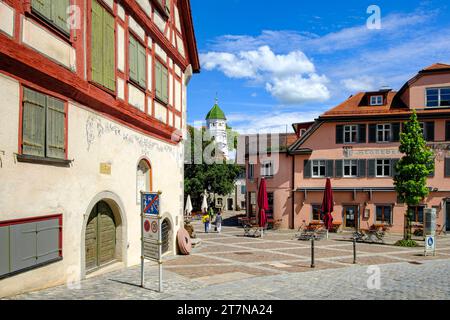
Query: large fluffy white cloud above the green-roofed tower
[(290, 78)]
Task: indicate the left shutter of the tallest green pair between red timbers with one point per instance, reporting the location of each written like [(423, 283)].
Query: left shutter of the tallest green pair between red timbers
[(97, 43)]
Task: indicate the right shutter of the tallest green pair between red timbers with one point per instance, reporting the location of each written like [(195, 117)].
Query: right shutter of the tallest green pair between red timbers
[(109, 65)]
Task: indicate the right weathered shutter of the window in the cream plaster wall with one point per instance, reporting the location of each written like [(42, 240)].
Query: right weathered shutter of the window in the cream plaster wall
[(56, 126)]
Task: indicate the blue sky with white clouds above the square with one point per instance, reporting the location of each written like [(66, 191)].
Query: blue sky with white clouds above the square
[(273, 63)]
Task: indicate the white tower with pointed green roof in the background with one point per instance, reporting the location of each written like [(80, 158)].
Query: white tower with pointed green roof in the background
[(216, 124)]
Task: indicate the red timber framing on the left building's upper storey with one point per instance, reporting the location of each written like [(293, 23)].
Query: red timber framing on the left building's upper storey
[(35, 70)]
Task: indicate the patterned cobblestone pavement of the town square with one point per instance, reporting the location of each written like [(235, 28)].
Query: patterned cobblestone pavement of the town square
[(230, 266)]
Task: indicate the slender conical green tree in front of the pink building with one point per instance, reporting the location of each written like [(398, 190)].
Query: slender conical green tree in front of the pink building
[(413, 169)]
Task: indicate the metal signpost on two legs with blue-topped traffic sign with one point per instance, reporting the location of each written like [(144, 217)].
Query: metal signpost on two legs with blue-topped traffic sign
[(151, 237)]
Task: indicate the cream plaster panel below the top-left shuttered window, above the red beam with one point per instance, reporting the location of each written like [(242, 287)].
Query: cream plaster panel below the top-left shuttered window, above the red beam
[(43, 41)]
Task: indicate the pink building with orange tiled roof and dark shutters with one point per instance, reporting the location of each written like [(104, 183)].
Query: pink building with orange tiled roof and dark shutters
[(356, 144)]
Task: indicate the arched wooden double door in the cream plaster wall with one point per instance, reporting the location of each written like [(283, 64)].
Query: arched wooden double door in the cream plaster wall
[(100, 236)]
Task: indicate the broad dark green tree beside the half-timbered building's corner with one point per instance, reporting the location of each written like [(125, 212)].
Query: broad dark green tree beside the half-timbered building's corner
[(217, 178)]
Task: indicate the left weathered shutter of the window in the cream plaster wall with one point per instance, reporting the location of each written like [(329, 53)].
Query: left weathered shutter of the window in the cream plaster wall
[(33, 126)]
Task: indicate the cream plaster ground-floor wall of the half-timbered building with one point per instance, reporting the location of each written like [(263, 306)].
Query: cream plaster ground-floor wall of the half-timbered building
[(30, 190)]
